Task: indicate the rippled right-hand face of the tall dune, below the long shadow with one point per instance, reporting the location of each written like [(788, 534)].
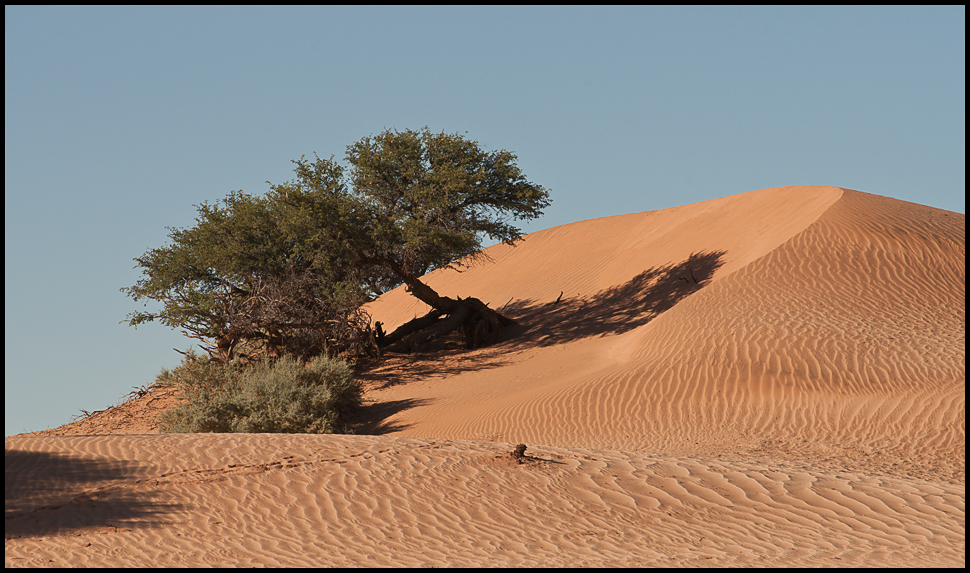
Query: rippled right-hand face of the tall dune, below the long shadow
[(845, 340)]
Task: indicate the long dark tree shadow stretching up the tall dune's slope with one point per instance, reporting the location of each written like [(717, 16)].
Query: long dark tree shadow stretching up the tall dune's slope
[(615, 310)]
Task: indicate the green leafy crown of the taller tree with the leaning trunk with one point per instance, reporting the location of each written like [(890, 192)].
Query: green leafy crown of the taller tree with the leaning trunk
[(432, 197)]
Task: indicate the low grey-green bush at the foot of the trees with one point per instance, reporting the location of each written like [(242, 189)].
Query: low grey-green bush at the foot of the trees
[(285, 395)]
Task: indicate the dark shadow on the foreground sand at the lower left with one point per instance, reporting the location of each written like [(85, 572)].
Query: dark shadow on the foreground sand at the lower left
[(50, 493)]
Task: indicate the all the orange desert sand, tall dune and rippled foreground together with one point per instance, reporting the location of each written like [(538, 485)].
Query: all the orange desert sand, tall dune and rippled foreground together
[(775, 378)]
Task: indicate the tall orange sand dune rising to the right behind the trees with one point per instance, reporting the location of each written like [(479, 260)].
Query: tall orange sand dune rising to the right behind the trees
[(840, 333)]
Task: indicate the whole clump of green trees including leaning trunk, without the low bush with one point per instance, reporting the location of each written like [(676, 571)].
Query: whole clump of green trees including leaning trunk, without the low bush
[(288, 272)]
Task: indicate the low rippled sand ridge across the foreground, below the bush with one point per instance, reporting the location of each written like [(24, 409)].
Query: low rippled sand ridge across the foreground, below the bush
[(298, 500)]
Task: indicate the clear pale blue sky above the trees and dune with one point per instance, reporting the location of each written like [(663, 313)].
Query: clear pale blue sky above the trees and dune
[(119, 120)]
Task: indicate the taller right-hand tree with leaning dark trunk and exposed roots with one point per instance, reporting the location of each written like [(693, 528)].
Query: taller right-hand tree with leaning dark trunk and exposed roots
[(420, 201)]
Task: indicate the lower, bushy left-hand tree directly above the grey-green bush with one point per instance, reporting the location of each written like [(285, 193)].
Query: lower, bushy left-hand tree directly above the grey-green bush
[(239, 284)]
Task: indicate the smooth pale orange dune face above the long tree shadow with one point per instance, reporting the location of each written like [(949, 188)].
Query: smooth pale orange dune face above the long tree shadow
[(586, 258)]
